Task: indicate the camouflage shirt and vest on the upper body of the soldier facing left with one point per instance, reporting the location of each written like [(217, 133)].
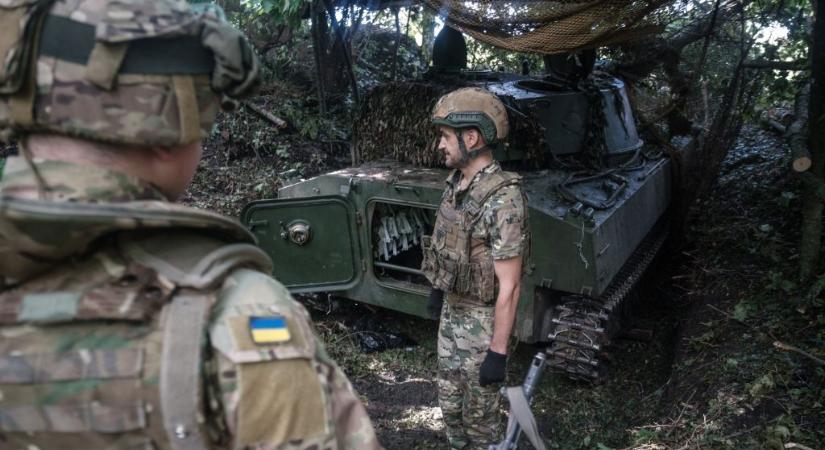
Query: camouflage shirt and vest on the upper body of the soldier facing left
[(485, 221)]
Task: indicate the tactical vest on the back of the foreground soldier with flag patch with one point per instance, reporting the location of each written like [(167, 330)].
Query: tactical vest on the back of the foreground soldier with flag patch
[(109, 351)]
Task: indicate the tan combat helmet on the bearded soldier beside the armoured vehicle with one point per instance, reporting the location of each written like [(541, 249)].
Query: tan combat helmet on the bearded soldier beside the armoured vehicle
[(472, 107)]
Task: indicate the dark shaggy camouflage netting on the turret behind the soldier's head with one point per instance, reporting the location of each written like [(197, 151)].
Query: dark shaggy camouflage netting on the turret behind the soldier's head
[(394, 123)]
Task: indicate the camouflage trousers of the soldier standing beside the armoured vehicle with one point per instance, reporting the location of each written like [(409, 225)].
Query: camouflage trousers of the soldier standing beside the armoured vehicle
[(472, 415)]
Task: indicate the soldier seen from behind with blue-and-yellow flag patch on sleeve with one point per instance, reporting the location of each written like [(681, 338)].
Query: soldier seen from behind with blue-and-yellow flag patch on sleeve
[(128, 322)]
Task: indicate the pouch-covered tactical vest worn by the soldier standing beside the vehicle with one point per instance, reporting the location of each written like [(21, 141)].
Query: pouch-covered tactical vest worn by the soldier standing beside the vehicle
[(455, 261)]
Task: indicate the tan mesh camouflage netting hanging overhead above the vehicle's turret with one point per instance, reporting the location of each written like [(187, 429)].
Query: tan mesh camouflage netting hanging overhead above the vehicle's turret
[(548, 27)]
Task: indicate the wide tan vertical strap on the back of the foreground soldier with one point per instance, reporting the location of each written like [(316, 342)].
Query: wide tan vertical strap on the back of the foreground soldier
[(180, 371)]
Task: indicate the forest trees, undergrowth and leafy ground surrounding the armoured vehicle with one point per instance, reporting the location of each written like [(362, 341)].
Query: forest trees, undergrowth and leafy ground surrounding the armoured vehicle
[(732, 90)]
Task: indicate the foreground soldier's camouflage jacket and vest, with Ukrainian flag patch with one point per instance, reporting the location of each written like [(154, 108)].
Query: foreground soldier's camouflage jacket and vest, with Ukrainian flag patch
[(129, 322)]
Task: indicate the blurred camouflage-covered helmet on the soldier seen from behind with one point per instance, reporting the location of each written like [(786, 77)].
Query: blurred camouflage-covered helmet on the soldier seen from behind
[(121, 72)]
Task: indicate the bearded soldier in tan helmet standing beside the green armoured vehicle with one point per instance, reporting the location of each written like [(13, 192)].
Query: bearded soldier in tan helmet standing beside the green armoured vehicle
[(475, 257)]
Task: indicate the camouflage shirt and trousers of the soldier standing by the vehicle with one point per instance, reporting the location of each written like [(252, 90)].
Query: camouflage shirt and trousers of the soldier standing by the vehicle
[(471, 412)]
